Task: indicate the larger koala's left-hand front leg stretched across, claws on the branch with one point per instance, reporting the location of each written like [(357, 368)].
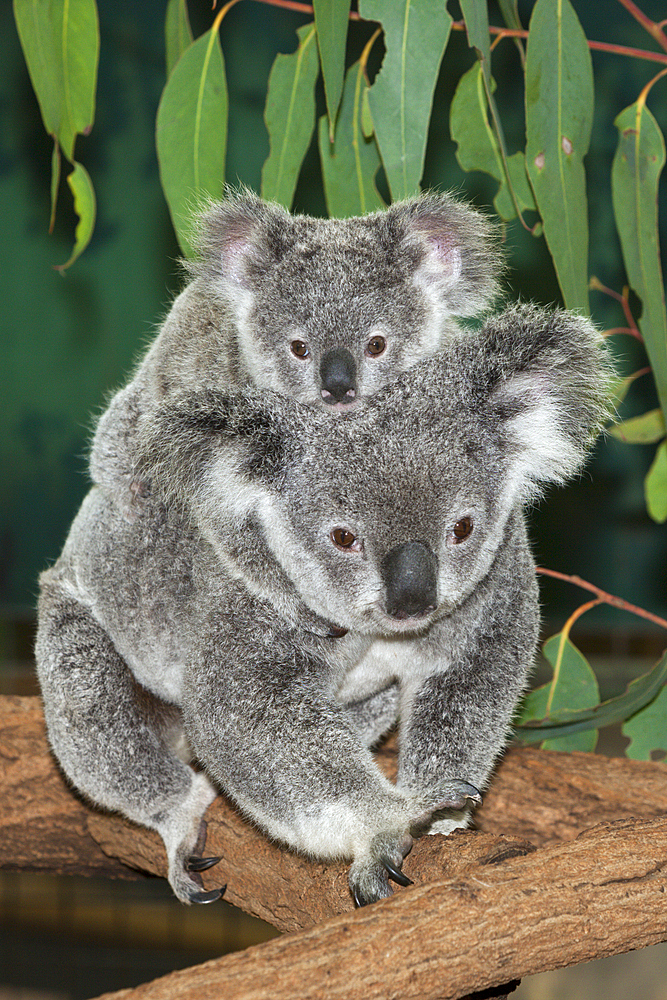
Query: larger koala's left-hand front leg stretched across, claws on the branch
[(261, 715)]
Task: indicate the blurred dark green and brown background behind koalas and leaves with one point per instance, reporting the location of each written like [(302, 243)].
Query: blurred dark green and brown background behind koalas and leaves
[(68, 342)]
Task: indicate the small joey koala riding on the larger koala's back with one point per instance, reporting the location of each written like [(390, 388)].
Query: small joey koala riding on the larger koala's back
[(324, 311)]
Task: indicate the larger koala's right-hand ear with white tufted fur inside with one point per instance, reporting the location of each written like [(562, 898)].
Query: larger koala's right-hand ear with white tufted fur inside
[(548, 377)]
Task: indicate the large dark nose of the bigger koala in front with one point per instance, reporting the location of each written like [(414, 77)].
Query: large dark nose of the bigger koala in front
[(409, 572)]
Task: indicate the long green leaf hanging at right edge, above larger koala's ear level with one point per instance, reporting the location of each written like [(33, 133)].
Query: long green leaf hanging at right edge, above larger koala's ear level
[(639, 159)]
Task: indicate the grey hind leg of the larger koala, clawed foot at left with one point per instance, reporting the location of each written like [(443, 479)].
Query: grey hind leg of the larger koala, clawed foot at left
[(115, 741)]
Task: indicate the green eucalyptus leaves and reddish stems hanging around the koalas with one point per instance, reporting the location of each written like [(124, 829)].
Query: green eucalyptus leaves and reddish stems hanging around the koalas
[(372, 138)]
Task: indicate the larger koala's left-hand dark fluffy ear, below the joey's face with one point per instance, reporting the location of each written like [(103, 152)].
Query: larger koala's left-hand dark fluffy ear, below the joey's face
[(180, 445)]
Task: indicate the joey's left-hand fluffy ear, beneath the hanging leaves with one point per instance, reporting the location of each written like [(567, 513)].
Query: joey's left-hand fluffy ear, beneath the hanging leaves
[(239, 237)]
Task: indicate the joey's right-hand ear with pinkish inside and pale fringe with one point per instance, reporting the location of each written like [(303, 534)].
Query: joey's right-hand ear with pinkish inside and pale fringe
[(459, 250)]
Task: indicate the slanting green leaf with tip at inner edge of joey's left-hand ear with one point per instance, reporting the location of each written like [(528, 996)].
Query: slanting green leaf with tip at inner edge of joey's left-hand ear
[(290, 117)]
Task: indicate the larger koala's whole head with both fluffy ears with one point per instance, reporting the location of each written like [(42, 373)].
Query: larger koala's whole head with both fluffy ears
[(388, 518)]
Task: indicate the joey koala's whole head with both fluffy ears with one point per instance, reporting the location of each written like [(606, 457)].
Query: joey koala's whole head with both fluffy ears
[(328, 311)]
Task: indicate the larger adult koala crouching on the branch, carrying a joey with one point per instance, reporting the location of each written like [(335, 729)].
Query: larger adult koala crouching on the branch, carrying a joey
[(169, 671)]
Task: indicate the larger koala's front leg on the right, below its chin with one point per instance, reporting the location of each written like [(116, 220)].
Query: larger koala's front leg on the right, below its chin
[(456, 717)]
